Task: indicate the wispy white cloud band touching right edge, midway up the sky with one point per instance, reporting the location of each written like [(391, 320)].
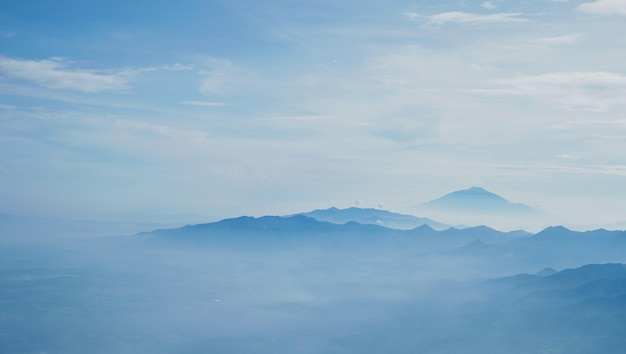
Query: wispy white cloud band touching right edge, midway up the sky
[(592, 91)]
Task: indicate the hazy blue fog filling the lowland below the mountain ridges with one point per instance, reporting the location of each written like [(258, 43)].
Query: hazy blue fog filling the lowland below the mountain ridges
[(146, 294)]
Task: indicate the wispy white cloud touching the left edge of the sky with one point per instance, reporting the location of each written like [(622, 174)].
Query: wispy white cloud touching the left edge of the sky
[(54, 74)]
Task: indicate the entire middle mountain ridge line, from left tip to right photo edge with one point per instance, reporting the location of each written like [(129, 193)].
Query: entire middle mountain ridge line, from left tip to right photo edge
[(556, 247)]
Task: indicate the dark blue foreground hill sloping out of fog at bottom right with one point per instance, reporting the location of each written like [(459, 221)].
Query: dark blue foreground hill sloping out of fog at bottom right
[(581, 310)]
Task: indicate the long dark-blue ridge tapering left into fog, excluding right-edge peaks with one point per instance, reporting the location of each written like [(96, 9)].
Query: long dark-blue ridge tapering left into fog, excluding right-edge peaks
[(303, 231)]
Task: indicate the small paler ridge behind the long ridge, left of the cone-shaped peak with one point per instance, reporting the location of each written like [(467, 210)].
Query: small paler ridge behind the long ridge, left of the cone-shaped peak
[(373, 216)]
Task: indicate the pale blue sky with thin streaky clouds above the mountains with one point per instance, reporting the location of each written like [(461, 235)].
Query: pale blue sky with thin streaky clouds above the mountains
[(225, 108)]
